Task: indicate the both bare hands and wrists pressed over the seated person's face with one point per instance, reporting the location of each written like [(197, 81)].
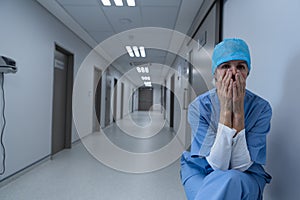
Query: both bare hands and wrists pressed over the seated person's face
[(231, 93)]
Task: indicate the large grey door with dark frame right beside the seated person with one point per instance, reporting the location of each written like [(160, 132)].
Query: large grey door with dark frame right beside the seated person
[(207, 33)]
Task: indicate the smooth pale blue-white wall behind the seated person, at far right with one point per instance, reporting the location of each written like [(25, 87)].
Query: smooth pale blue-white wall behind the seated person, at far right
[(272, 30)]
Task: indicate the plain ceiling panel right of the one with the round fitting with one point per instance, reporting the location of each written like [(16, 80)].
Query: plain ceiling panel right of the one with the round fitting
[(159, 16)]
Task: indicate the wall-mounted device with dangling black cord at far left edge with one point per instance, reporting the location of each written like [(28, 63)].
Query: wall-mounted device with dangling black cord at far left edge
[(7, 65)]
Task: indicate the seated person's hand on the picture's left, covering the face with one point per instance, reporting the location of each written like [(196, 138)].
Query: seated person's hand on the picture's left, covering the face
[(224, 87)]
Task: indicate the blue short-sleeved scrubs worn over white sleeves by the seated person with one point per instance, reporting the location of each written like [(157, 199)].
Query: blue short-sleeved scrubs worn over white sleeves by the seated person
[(200, 181)]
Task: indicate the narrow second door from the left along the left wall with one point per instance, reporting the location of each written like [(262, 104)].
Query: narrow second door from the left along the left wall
[(97, 99)]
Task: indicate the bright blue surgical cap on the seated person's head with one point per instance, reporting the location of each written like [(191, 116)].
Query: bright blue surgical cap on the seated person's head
[(230, 49)]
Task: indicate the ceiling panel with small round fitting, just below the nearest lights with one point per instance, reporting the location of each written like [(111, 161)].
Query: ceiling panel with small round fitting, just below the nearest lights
[(123, 18)]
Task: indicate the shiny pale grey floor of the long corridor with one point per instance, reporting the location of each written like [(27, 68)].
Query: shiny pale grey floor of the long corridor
[(75, 174)]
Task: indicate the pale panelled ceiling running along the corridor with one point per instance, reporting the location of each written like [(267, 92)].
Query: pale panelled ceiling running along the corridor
[(95, 23)]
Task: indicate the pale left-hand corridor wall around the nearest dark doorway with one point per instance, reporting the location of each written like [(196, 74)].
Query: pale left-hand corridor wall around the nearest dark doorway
[(28, 33)]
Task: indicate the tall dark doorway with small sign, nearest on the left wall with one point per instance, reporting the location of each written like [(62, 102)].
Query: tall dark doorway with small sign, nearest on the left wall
[(62, 100)]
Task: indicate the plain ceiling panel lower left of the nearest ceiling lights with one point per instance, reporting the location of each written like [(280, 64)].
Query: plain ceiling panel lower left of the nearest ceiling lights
[(91, 18)]
